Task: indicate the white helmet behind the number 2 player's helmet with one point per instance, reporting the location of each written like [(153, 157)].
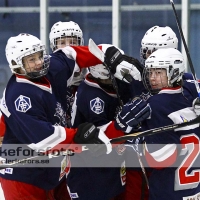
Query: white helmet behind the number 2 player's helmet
[(157, 38)]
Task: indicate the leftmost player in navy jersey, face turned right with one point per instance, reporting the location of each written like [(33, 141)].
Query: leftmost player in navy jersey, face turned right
[(35, 120)]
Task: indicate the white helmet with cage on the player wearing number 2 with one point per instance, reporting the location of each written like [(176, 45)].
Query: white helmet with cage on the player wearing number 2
[(171, 60)]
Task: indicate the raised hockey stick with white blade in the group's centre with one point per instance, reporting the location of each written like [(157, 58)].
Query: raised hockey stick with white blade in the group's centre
[(94, 49)]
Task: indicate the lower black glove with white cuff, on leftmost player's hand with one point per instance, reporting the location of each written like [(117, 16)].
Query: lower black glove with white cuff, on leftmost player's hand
[(94, 138)]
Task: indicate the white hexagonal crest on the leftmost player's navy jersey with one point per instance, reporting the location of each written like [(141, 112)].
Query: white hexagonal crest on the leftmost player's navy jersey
[(23, 103)]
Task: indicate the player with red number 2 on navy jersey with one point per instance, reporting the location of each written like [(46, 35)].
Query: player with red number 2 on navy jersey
[(173, 155)]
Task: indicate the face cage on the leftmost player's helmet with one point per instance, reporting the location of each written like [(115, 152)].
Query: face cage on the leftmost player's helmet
[(45, 68)]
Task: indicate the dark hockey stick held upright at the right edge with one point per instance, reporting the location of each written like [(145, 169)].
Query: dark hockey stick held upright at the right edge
[(186, 48)]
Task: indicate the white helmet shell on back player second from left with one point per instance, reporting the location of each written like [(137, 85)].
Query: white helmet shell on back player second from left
[(65, 29)]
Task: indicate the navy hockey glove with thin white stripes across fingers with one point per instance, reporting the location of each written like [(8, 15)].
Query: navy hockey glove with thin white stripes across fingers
[(132, 114)]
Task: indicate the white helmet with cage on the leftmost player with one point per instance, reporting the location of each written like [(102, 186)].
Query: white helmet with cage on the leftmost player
[(21, 46)]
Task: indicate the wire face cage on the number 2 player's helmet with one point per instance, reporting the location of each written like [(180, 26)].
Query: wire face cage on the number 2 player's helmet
[(146, 80)]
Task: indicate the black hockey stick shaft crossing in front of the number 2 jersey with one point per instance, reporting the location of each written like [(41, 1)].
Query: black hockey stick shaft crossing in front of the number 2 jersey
[(156, 130)]
